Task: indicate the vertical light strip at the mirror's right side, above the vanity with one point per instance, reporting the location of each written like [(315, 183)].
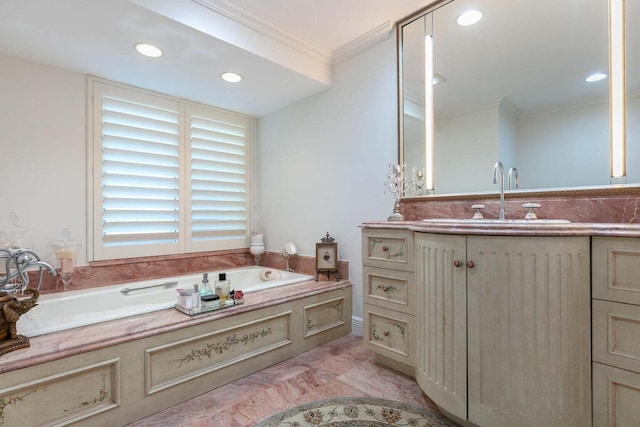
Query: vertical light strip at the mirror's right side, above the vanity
[(617, 107)]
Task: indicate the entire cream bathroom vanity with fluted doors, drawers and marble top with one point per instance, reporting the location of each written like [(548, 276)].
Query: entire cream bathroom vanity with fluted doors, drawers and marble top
[(505, 323)]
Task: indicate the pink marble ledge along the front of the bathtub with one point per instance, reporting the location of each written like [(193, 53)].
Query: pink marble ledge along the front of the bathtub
[(70, 342)]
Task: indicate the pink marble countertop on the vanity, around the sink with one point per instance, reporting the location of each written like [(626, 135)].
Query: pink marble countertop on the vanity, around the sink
[(510, 228)]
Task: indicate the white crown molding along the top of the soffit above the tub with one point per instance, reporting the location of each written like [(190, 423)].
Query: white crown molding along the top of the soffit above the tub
[(243, 16)]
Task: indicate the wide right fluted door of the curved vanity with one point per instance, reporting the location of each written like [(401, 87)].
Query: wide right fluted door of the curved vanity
[(528, 331)]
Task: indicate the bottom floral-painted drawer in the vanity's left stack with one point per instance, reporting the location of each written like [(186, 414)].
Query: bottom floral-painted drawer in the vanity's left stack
[(389, 333)]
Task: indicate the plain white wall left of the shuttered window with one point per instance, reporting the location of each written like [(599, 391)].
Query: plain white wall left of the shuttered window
[(43, 160)]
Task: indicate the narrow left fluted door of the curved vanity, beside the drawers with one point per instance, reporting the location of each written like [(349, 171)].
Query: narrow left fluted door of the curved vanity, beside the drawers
[(441, 357)]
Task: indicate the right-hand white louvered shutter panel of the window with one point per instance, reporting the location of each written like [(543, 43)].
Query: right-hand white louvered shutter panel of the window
[(219, 185)]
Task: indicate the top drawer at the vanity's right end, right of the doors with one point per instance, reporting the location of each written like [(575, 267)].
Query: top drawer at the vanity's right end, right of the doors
[(616, 269)]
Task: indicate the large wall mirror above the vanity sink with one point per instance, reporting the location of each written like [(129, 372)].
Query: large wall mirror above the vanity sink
[(512, 87)]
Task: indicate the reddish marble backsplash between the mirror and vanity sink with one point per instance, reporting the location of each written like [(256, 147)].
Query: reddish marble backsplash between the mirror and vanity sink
[(582, 208)]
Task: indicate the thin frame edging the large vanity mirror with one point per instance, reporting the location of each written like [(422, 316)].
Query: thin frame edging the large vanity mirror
[(632, 189)]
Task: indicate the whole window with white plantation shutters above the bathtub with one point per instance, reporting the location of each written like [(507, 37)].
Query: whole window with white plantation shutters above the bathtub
[(168, 176)]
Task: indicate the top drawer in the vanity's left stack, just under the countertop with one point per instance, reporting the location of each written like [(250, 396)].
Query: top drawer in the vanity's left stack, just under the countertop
[(388, 249)]
